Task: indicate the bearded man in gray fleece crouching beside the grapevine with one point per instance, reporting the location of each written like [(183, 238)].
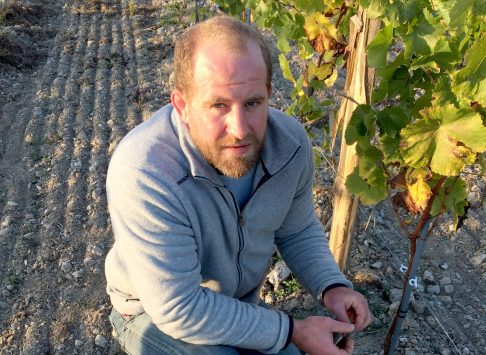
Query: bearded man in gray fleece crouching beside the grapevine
[(199, 195)]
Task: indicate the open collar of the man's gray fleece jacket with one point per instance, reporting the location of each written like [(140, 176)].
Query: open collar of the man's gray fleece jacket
[(278, 149)]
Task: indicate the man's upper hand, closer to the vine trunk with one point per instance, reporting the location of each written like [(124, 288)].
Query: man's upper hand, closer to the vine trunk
[(349, 306)]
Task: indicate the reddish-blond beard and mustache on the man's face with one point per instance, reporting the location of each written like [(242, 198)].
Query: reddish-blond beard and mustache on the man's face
[(234, 166)]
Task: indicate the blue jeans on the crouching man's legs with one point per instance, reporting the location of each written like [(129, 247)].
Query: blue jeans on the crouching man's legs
[(137, 335)]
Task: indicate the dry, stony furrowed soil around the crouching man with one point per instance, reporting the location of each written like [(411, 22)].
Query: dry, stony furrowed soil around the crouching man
[(75, 77)]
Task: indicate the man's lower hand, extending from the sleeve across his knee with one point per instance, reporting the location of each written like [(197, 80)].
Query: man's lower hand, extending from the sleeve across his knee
[(314, 336)]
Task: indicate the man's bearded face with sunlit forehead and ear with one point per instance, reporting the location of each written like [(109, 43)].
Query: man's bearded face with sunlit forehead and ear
[(226, 111)]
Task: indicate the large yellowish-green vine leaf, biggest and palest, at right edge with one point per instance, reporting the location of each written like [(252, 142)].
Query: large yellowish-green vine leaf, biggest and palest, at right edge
[(446, 138)]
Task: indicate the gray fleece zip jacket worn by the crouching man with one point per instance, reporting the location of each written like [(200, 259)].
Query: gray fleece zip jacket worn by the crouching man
[(185, 253)]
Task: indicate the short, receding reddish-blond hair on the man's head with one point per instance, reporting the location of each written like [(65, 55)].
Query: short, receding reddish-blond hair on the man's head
[(225, 32)]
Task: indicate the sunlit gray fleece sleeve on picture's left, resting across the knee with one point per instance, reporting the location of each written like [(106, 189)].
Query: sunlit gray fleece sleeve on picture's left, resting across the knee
[(157, 259)]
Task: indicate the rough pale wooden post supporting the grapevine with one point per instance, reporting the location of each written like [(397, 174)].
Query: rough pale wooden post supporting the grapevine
[(359, 78)]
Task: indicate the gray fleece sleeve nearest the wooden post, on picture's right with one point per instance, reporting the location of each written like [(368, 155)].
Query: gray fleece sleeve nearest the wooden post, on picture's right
[(301, 239)]
